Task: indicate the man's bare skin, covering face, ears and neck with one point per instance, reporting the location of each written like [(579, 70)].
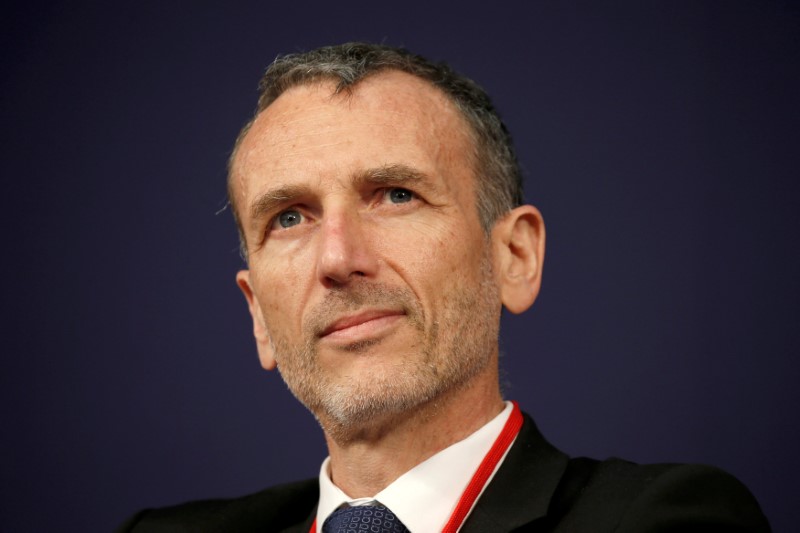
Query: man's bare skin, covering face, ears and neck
[(370, 280)]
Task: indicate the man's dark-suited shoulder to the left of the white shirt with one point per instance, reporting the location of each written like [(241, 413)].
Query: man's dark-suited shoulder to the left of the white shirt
[(275, 509)]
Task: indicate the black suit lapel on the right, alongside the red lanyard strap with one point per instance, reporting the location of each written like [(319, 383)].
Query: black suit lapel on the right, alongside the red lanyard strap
[(521, 490)]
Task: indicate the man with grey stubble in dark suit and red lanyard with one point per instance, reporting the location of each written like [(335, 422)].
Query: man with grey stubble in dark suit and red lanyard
[(380, 210)]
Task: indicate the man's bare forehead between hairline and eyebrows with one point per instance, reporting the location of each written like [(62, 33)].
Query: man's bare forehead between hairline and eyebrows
[(387, 118)]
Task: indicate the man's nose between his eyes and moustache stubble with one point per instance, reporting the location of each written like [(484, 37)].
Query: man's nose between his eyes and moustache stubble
[(345, 251)]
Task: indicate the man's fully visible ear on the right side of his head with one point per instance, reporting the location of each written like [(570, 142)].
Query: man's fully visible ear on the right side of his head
[(519, 254)]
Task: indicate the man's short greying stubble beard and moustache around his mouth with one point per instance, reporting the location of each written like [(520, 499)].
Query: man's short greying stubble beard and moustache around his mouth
[(454, 351)]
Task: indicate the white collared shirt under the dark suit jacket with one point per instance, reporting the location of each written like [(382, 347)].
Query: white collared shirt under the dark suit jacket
[(424, 497)]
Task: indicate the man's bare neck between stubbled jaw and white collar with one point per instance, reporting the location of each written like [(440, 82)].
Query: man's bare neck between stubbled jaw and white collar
[(365, 465)]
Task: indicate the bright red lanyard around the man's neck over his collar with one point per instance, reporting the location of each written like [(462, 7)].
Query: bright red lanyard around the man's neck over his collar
[(481, 475)]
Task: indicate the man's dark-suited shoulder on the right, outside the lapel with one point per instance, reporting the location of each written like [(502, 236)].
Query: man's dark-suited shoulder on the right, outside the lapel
[(628, 497)]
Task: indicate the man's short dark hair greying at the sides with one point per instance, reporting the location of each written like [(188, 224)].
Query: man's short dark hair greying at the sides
[(494, 160)]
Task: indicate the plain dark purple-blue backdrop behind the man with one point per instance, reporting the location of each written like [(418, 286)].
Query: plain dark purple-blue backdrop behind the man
[(660, 142)]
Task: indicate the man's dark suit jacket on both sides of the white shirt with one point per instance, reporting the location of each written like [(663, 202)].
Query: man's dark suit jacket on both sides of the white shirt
[(536, 489)]
